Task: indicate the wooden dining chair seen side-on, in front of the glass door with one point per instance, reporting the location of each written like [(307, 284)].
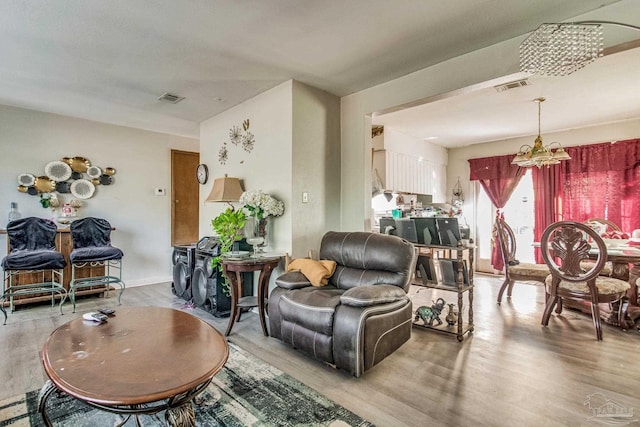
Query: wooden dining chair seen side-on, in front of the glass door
[(515, 270)]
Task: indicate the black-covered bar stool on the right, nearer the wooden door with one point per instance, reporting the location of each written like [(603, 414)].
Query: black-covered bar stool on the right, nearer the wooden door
[(92, 248)]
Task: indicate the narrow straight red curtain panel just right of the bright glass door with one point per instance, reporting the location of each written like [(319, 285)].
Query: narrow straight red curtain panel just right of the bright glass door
[(547, 194)]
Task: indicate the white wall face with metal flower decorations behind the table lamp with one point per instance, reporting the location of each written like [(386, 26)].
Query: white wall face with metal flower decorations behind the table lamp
[(267, 167)]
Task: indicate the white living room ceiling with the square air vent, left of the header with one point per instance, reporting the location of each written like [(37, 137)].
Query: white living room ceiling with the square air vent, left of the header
[(109, 60)]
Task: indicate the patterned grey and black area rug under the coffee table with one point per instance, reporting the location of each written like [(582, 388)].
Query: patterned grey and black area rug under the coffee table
[(247, 392)]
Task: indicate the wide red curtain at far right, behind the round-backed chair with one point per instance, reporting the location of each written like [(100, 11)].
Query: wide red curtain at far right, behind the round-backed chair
[(602, 181)]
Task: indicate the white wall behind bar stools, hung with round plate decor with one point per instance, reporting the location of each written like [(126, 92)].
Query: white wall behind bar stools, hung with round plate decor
[(30, 139)]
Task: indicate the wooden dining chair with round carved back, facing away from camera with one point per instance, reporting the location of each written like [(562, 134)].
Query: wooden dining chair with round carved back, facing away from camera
[(565, 244)]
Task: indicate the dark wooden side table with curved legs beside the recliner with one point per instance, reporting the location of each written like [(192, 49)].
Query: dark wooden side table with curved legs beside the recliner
[(233, 269)]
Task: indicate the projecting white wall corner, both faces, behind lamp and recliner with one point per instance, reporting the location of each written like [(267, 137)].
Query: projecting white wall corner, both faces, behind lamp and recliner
[(296, 128)]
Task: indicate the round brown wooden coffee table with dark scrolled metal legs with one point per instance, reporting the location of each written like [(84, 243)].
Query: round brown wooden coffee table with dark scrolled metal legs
[(142, 361)]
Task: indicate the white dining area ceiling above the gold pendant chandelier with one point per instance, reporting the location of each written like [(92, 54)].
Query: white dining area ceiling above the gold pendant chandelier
[(606, 91)]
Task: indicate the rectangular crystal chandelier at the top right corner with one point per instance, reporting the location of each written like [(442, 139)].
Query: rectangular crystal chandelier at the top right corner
[(563, 48)]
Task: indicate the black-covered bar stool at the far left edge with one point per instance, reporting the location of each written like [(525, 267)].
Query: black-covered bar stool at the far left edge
[(33, 265)]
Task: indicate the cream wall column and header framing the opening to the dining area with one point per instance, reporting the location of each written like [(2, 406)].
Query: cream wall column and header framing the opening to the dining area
[(490, 66)]
